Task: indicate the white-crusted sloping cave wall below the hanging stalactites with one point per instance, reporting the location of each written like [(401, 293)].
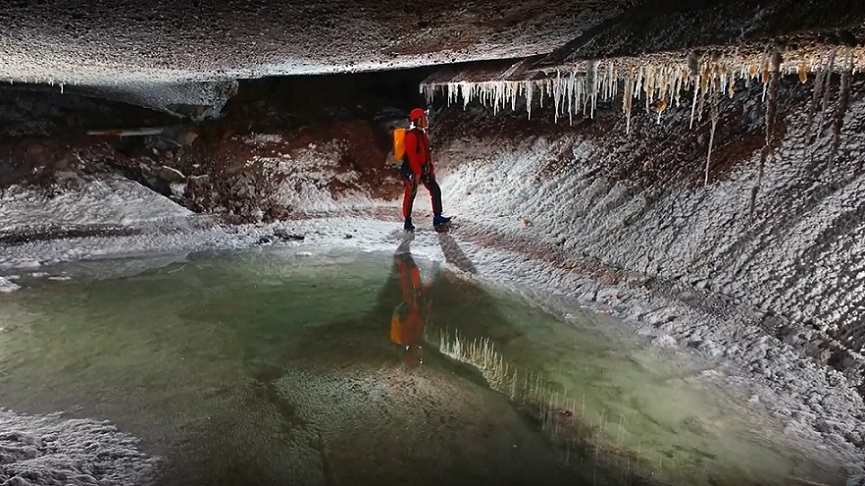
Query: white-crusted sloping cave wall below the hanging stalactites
[(637, 202)]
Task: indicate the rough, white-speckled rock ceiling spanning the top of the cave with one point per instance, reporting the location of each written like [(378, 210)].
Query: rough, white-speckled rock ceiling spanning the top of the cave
[(188, 52)]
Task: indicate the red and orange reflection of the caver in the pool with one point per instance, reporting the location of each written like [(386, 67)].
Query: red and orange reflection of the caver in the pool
[(410, 315)]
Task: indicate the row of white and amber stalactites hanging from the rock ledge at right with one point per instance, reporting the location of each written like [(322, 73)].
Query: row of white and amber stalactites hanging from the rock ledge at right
[(659, 85)]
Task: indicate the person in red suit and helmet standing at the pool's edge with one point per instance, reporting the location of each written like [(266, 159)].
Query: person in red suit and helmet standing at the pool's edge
[(417, 167)]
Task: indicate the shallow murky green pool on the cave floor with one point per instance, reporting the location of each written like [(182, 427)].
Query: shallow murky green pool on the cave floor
[(279, 368)]
